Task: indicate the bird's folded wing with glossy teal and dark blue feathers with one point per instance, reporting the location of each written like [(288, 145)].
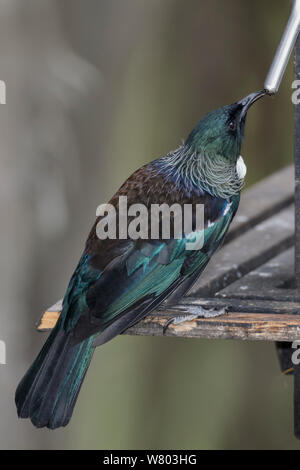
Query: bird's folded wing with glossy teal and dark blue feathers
[(117, 282)]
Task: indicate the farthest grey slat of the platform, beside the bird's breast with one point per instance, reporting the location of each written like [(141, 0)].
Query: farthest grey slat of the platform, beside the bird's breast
[(273, 193)]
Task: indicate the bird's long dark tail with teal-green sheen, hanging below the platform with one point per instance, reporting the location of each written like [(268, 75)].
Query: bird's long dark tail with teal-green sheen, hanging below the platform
[(48, 391)]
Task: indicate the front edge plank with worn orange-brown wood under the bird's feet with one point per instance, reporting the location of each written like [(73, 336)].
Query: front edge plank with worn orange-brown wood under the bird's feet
[(283, 324)]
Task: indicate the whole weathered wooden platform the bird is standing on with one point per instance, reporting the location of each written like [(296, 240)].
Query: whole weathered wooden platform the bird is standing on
[(252, 275)]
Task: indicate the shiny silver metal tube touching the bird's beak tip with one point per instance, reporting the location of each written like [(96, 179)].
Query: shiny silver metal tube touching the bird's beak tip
[(284, 50)]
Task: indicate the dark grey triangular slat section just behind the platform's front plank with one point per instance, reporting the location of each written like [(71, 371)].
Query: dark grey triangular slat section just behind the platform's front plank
[(273, 280)]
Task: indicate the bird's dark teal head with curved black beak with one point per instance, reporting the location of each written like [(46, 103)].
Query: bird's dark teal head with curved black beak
[(221, 131)]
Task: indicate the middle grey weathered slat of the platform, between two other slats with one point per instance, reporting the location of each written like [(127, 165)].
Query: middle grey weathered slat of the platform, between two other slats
[(247, 252)]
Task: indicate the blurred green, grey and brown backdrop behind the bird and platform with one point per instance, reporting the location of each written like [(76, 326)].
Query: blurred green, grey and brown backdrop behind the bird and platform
[(95, 89)]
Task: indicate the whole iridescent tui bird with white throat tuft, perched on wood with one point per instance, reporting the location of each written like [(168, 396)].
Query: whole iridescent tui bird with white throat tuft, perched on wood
[(117, 282)]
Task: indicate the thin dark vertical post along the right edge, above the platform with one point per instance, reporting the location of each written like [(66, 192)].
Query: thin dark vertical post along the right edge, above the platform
[(297, 170)]
